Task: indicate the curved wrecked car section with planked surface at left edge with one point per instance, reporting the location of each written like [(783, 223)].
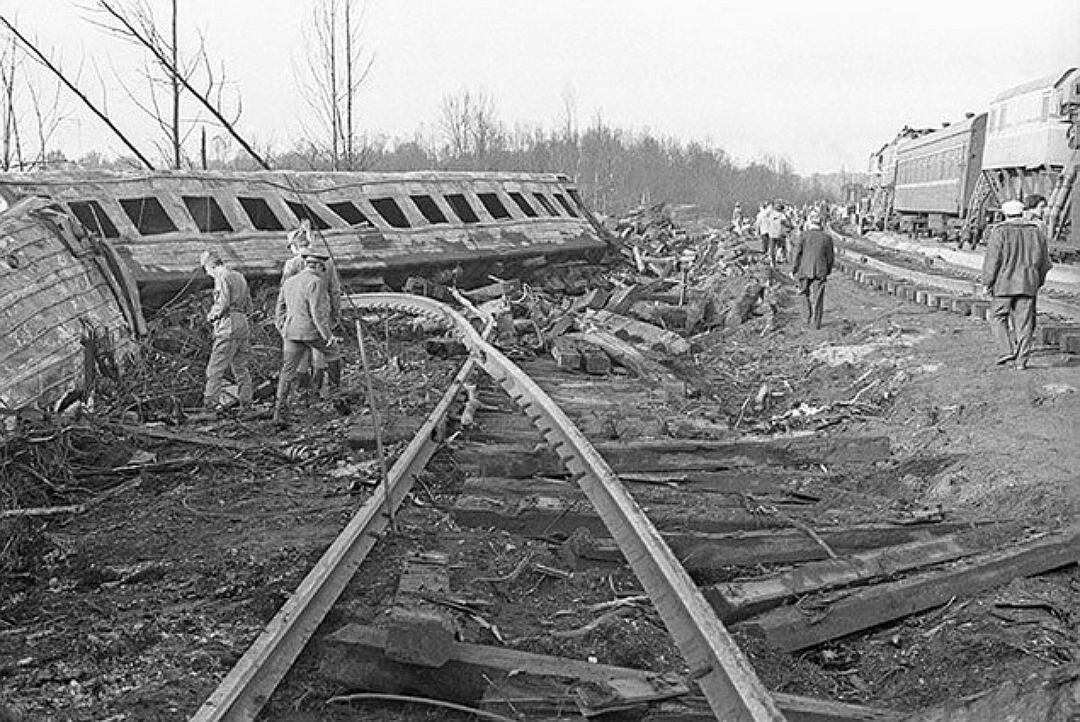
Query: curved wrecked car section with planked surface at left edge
[(67, 309)]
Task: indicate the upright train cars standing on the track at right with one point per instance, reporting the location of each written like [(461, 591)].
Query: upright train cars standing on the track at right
[(951, 182)]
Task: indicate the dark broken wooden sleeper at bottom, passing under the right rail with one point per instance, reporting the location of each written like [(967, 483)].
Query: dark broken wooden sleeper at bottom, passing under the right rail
[(354, 657)]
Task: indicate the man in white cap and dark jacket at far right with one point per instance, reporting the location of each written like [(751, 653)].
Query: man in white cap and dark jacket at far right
[(1015, 268)]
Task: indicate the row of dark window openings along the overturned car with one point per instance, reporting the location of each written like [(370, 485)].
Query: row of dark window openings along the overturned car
[(151, 219)]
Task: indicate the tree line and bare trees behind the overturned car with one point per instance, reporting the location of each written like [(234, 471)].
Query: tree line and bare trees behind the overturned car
[(616, 170)]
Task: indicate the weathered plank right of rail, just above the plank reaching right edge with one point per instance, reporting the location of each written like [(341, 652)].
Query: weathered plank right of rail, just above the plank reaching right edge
[(739, 601)]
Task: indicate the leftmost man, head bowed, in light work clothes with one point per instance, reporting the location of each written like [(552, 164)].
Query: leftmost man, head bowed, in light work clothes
[(233, 335)]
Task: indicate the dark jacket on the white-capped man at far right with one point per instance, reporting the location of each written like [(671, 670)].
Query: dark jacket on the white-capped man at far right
[(1017, 261)]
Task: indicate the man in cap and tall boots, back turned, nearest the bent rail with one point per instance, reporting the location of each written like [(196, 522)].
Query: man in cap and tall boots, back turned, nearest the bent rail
[(303, 319)]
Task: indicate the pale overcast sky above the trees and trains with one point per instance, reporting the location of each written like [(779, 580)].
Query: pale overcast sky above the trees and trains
[(821, 83)]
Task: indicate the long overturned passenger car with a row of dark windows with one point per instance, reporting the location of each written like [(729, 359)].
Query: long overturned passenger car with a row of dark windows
[(377, 226)]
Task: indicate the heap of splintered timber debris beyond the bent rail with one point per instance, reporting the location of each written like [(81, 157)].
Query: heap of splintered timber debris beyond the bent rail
[(666, 287)]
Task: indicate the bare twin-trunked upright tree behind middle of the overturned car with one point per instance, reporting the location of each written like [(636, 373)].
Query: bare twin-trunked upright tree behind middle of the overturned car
[(337, 67)]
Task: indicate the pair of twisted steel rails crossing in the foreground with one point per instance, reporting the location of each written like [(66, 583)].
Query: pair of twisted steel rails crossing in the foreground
[(719, 666)]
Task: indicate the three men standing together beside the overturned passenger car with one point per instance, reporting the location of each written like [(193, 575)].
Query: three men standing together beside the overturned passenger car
[(307, 311)]
